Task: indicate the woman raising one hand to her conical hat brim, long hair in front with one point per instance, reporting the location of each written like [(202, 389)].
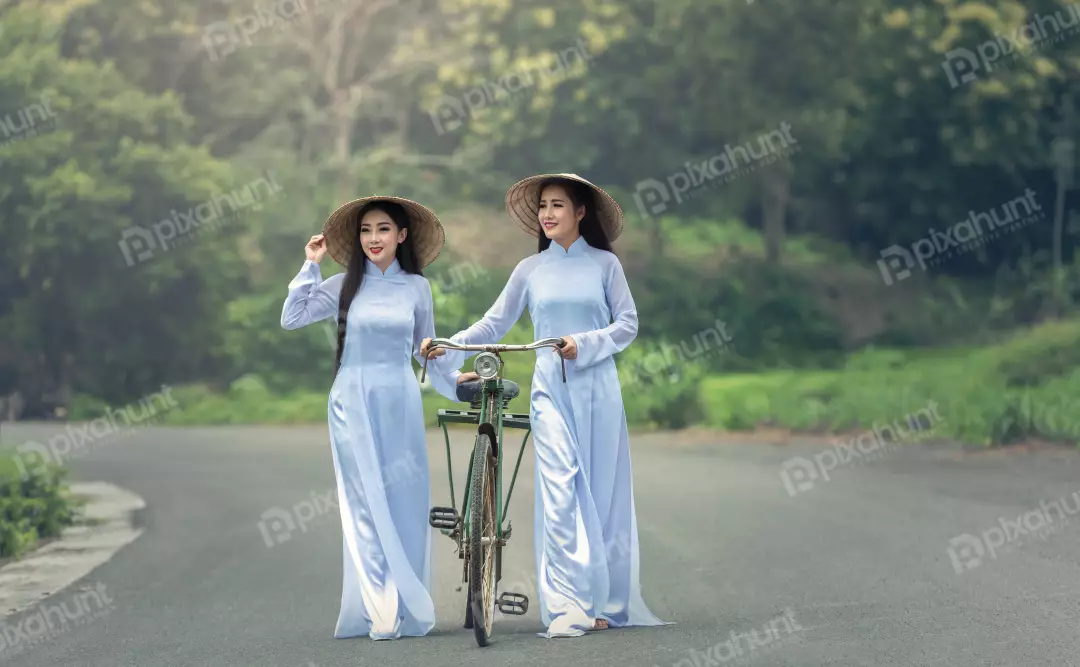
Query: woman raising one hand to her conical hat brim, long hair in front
[(384, 309)]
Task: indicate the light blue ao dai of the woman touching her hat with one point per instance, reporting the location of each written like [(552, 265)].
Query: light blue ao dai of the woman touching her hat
[(377, 438)]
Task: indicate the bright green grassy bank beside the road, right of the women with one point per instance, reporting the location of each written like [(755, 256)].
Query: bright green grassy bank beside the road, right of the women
[(1021, 389)]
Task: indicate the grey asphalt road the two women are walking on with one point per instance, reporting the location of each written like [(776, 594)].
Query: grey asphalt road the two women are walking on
[(855, 570)]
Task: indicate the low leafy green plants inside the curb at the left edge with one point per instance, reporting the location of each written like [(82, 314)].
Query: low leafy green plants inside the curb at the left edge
[(35, 505)]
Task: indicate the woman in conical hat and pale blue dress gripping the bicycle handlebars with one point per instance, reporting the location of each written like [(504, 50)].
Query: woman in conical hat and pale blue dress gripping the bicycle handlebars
[(586, 528)]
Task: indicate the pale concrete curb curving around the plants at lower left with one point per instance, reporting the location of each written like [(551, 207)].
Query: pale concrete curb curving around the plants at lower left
[(110, 526)]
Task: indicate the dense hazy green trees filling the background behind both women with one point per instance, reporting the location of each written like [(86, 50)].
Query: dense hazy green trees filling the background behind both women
[(163, 165)]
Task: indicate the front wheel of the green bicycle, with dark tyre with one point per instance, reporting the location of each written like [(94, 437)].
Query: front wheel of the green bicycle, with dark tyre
[(482, 539)]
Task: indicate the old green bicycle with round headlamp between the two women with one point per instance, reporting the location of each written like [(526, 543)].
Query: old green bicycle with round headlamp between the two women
[(478, 532)]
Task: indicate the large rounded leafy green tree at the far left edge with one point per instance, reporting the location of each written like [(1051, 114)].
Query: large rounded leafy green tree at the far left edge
[(77, 309)]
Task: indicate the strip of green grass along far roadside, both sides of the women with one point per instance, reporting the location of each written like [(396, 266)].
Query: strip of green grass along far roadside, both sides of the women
[(1021, 388)]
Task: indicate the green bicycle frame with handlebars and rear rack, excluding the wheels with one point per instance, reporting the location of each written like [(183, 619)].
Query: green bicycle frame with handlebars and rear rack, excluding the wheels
[(491, 412)]
